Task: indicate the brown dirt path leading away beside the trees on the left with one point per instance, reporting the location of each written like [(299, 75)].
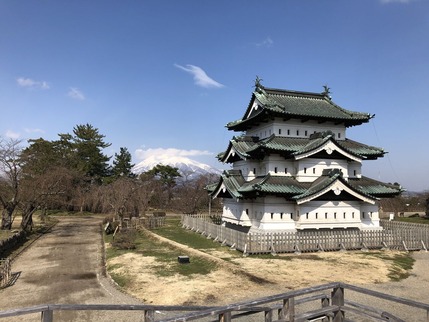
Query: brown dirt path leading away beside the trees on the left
[(63, 267)]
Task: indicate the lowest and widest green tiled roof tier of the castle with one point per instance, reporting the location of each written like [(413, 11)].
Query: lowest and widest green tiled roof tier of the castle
[(291, 189)]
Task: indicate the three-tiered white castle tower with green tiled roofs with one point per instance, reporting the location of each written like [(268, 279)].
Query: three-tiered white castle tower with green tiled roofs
[(293, 167)]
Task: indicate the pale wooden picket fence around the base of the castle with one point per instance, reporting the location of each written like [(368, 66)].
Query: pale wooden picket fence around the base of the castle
[(394, 235)]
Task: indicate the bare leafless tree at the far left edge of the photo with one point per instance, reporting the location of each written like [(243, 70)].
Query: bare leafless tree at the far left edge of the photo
[(10, 174)]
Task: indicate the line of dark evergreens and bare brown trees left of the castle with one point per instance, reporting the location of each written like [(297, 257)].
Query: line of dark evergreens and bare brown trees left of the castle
[(73, 173)]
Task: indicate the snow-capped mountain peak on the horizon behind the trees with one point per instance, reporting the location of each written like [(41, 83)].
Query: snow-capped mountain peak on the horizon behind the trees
[(189, 169)]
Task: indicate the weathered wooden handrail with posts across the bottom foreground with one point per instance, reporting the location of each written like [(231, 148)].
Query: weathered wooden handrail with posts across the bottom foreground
[(333, 305)]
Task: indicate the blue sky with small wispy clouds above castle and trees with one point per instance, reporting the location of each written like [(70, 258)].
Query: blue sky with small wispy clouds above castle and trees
[(166, 76)]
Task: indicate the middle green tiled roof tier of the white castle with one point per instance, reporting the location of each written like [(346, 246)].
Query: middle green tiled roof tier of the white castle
[(249, 147)]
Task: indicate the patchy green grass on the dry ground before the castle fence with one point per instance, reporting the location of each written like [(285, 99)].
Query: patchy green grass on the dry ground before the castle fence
[(167, 254)]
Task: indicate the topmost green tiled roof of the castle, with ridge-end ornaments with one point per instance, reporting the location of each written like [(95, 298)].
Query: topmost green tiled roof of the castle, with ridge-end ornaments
[(295, 104)]
